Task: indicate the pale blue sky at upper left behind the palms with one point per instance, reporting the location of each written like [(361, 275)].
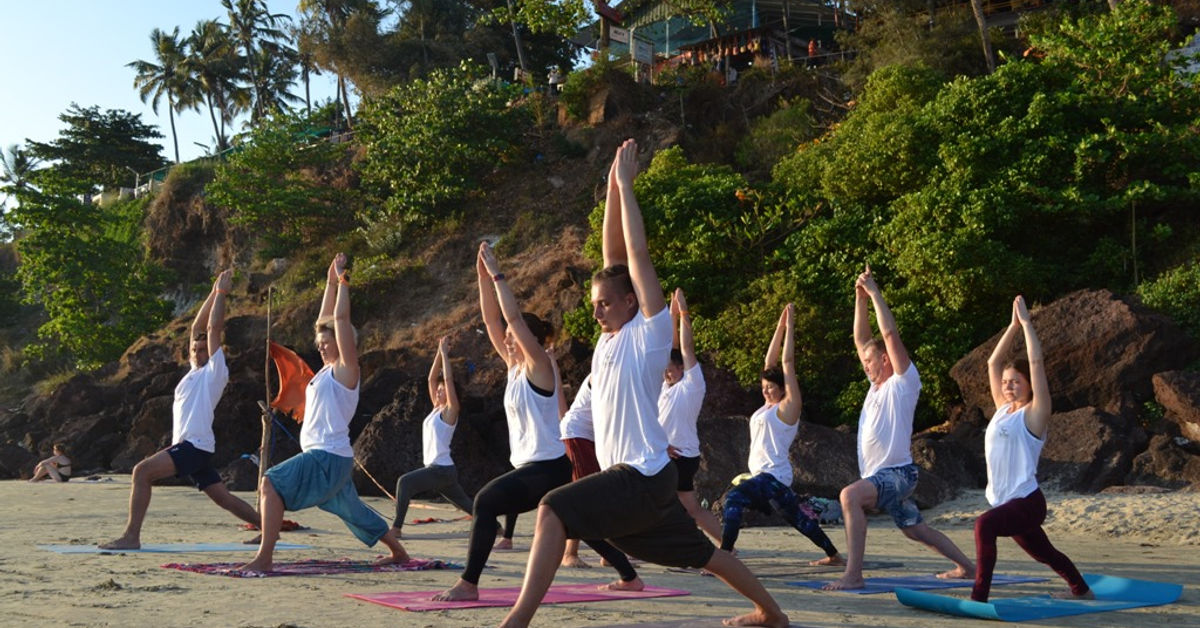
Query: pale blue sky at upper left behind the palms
[(58, 52)]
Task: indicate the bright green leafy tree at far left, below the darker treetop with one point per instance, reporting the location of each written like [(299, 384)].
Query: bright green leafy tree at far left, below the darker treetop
[(86, 266)]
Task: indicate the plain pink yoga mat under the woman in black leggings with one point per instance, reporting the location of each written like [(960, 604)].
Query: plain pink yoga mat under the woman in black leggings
[(422, 601)]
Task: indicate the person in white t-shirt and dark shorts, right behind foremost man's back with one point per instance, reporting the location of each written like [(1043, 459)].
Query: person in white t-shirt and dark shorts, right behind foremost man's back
[(680, 402)]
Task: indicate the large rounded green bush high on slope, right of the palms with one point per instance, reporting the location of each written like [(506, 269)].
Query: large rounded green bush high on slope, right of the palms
[(429, 145)]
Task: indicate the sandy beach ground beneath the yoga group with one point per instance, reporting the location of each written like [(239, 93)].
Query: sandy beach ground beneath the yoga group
[(1150, 537)]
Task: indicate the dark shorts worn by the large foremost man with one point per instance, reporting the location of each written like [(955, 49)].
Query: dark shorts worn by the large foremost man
[(641, 516)]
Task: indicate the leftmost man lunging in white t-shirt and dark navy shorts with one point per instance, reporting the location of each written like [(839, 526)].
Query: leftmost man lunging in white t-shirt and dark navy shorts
[(194, 445)]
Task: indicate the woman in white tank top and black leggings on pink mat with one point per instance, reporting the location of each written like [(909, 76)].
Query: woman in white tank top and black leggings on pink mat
[(532, 410)]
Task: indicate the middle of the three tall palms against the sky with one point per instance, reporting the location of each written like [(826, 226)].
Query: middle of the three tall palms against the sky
[(214, 63)]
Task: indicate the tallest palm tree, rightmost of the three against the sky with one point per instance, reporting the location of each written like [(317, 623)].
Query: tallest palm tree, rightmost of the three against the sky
[(256, 31)]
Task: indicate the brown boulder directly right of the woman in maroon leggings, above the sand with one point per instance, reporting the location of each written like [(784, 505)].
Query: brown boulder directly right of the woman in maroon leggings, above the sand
[(1089, 450)]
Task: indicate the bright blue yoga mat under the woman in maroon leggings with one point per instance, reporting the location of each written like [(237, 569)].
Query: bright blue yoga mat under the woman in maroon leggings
[(1112, 594)]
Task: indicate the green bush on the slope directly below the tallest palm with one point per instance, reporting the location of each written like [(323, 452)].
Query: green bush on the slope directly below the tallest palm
[(280, 184)]
